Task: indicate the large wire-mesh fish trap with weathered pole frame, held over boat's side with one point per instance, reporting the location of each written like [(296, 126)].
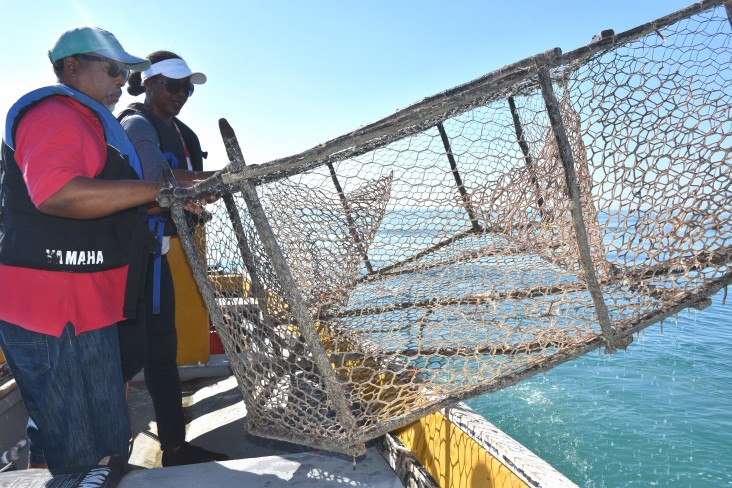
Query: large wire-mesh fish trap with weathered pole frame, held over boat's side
[(476, 238)]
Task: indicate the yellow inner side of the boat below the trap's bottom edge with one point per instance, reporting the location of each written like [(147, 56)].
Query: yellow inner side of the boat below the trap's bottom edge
[(453, 458)]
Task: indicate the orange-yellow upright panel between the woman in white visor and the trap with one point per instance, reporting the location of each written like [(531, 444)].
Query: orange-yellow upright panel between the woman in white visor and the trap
[(191, 317)]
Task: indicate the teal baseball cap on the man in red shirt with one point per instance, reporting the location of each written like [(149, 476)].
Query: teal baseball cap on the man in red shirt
[(80, 40)]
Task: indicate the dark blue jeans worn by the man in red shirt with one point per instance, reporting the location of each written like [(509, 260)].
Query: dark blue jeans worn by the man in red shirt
[(72, 388)]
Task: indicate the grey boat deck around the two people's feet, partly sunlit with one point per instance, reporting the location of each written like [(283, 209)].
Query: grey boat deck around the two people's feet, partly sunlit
[(216, 418)]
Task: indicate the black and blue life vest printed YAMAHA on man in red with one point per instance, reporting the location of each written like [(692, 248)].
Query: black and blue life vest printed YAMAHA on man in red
[(32, 239)]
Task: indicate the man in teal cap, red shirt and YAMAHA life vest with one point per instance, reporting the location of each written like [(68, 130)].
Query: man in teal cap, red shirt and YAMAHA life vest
[(72, 245)]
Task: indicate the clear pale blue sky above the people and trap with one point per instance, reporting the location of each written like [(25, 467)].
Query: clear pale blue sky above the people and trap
[(289, 75)]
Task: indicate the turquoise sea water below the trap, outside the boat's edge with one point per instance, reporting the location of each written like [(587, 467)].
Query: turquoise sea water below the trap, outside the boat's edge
[(658, 414)]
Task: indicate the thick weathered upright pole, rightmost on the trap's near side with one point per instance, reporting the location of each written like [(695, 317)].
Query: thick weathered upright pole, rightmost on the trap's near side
[(573, 190)]
